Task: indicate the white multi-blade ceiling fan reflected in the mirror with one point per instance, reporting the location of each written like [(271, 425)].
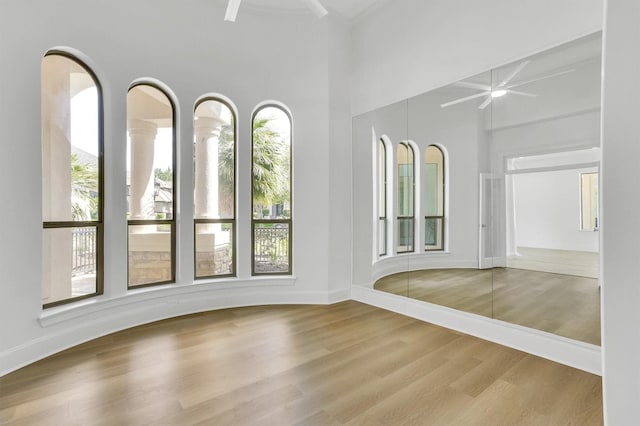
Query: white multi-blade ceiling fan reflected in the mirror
[(502, 88)]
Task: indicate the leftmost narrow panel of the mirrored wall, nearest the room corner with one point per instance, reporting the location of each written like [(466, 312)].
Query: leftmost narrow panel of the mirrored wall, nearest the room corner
[(384, 191)]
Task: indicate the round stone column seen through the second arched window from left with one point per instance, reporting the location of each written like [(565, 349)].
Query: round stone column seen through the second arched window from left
[(141, 202)]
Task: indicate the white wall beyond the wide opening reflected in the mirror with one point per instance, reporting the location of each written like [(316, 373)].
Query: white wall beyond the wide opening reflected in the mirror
[(547, 211)]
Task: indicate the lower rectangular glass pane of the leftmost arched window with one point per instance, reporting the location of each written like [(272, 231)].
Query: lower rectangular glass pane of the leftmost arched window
[(69, 263)]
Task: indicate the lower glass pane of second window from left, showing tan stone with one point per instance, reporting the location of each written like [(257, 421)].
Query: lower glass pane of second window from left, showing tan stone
[(150, 254)]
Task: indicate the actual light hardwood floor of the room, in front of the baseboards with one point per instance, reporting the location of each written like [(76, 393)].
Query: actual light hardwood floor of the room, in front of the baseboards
[(347, 363)]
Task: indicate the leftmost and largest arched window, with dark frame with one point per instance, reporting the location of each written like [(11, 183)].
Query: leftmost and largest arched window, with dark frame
[(72, 180)]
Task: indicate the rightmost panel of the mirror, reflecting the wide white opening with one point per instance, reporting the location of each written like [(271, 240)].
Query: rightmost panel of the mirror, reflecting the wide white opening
[(545, 141)]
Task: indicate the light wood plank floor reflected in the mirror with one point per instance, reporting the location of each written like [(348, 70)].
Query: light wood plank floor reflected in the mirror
[(565, 305)]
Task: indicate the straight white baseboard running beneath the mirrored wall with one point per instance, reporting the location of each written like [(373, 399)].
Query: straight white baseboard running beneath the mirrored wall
[(583, 356)]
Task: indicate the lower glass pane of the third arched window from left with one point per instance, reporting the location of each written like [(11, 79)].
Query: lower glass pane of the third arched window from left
[(214, 249)]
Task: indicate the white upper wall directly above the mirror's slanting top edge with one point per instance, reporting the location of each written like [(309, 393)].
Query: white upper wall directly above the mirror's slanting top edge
[(411, 46)]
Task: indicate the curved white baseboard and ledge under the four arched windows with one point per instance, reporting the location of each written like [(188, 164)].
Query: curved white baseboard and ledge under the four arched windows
[(68, 326)]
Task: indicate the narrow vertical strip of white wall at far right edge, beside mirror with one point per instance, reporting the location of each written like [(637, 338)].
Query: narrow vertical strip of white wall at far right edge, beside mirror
[(620, 203)]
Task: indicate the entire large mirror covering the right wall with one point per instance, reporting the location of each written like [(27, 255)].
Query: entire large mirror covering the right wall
[(482, 196)]
